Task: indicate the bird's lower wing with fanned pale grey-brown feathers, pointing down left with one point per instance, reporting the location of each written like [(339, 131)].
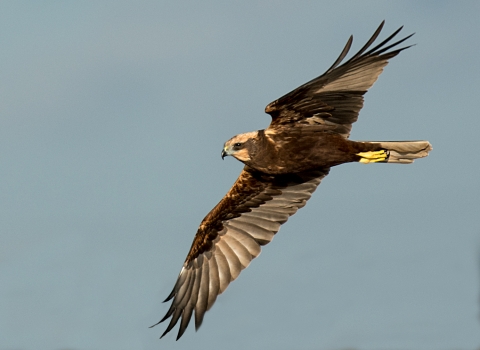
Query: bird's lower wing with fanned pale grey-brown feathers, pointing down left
[(230, 236)]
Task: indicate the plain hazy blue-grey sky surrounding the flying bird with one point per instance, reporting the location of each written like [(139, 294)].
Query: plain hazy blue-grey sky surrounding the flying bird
[(112, 119)]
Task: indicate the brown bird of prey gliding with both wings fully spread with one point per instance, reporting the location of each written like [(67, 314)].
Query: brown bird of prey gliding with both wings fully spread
[(284, 164)]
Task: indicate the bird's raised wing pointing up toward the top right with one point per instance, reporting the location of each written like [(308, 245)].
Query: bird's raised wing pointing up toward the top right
[(335, 98)]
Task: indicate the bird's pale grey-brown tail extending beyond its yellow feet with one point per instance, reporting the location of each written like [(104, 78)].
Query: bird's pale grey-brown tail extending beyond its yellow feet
[(405, 152)]
